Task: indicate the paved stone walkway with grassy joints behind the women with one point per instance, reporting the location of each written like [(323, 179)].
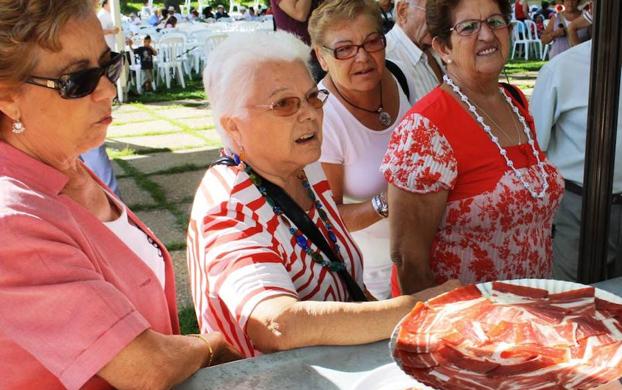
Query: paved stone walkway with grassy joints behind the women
[(160, 152)]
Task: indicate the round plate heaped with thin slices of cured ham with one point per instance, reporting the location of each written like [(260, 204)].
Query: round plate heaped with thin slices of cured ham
[(520, 334)]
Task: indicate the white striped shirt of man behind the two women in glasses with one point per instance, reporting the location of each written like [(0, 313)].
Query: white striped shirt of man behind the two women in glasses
[(415, 63)]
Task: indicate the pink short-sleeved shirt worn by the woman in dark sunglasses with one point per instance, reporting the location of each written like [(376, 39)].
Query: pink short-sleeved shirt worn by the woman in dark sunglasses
[(72, 295)]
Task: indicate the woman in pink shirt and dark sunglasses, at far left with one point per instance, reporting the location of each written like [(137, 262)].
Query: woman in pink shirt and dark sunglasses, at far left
[(87, 294)]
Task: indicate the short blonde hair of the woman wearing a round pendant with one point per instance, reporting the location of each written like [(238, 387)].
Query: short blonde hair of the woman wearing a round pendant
[(333, 12)]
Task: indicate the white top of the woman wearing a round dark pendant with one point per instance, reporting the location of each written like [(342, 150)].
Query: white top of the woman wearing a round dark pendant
[(360, 150)]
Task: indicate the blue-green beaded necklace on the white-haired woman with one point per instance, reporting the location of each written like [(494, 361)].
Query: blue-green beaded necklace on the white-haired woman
[(303, 242)]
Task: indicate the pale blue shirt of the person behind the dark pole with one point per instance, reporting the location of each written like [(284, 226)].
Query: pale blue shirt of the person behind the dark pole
[(559, 106)]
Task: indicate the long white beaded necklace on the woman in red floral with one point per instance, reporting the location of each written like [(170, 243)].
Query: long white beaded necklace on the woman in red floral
[(495, 140)]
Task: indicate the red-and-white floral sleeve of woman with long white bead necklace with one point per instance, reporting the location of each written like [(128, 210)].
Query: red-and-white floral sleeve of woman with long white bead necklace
[(419, 158)]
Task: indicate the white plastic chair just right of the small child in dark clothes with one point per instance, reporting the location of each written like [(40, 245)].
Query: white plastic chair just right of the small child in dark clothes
[(171, 53)]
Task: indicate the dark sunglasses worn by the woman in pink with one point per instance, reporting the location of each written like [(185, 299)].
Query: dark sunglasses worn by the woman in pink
[(83, 82)]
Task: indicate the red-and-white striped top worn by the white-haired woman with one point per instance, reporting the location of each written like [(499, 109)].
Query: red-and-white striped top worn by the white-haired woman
[(240, 253)]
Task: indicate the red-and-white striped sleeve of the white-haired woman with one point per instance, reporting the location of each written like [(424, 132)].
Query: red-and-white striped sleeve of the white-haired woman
[(244, 262)]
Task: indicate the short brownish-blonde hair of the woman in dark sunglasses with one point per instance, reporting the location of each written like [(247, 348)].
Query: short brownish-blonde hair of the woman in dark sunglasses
[(25, 26)]
